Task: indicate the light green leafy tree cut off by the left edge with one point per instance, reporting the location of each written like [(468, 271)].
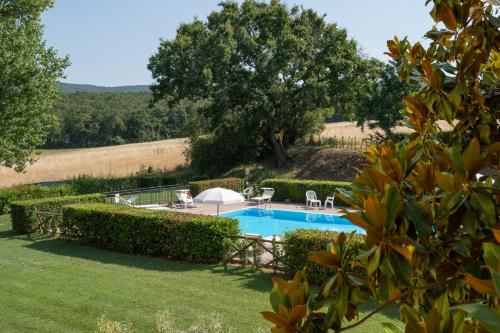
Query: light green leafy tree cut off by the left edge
[(28, 81)]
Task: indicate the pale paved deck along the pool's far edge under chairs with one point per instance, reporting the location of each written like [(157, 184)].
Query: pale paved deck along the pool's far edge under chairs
[(206, 209)]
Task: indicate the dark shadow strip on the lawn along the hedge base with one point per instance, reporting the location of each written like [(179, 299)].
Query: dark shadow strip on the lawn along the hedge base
[(248, 278)]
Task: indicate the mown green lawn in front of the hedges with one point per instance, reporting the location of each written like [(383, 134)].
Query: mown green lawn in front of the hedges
[(50, 285)]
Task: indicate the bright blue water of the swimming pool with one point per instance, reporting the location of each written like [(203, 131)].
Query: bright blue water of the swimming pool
[(276, 222)]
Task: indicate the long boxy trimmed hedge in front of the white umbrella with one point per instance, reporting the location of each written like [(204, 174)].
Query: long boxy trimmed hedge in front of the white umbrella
[(181, 236)]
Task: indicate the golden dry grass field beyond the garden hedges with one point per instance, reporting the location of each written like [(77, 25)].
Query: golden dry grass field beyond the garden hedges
[(127, 159)]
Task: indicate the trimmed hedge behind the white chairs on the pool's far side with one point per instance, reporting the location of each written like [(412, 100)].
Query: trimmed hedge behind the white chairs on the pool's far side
[(295, 190)]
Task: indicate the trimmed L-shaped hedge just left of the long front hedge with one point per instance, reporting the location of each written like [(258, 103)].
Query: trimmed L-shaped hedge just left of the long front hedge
[(24, 219)]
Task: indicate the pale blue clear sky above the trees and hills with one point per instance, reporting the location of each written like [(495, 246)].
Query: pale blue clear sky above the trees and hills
[(110, 41)]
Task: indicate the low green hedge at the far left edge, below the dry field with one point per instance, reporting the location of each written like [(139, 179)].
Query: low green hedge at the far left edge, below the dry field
[(27, 192)]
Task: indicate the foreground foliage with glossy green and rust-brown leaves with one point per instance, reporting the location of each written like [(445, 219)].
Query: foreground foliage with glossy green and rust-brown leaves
[(432, 226)]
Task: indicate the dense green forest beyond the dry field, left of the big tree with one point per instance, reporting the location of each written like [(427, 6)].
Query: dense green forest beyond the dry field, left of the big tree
[(91, 119)]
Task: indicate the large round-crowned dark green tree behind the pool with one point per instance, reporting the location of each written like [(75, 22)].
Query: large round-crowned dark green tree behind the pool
[(265, 68)]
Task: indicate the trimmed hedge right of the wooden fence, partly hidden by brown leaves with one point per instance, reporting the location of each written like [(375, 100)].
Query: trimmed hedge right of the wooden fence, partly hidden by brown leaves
[(298, 243)]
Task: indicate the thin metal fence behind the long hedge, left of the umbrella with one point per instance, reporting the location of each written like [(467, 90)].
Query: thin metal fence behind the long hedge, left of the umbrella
[(159, 195)]
